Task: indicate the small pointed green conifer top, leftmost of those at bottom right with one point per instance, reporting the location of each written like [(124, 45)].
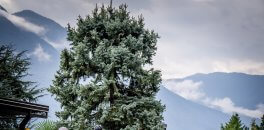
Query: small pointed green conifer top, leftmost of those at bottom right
[(234, 124)]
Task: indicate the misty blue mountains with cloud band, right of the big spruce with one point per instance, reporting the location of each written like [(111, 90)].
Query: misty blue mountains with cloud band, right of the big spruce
[(211, 98)]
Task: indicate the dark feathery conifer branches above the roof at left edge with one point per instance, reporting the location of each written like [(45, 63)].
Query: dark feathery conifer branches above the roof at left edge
[(13, 68)]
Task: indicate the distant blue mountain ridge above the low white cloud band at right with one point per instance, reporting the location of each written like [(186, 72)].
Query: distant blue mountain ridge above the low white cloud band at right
[(244, 90)]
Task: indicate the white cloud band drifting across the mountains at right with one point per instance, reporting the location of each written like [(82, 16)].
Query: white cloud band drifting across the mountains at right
[(191, 90)]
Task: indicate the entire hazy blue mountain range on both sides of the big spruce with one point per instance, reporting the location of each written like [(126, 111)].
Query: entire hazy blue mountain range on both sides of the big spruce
[(197, 102)]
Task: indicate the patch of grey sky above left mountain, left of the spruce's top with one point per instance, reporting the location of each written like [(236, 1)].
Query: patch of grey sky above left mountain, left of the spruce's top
[(62, 11)]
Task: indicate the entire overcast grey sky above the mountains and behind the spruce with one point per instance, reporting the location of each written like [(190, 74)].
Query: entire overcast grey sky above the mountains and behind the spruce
[(197, 36)]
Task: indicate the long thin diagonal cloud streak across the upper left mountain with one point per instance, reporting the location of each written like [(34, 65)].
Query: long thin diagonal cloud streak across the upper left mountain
[(22, 23)]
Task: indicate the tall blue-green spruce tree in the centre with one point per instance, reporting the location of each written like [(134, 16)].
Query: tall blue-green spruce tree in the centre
[(102, 78)]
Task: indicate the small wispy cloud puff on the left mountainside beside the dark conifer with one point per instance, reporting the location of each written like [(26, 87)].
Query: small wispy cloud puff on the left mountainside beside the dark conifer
[(40, 54)]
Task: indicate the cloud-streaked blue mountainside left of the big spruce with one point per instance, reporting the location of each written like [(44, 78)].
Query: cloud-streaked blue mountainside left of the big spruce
[(27, 30)]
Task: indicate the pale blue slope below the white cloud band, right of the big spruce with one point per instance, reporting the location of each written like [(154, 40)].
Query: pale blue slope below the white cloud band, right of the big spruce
[(182, 114)]
